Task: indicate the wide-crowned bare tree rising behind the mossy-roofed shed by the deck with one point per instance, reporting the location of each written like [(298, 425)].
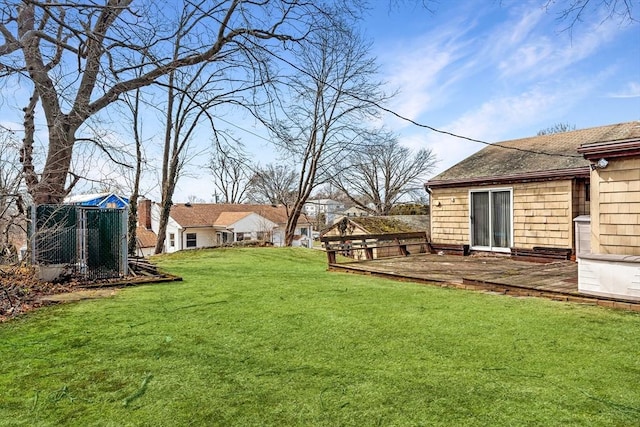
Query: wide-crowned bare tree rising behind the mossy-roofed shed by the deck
[(381, 174)]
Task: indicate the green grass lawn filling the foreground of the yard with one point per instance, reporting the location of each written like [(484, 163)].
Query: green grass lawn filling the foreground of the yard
[(268, 337)]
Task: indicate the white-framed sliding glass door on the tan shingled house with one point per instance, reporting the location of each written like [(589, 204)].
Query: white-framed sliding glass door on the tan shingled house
[(491, 219)]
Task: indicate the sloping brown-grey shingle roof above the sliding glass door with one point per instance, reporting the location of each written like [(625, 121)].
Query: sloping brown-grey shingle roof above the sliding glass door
[(535, 155)]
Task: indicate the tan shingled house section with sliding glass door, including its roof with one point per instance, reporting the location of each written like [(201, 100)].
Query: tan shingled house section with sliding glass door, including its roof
[(523, 193)]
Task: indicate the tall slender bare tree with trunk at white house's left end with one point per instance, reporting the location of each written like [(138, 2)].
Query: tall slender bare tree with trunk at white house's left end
[(239, 69)]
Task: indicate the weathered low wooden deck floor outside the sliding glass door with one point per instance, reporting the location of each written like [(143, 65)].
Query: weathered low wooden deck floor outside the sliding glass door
[(557, 280)]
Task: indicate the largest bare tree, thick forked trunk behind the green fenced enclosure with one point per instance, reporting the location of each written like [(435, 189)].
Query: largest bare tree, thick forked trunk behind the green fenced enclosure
[(81, 57)]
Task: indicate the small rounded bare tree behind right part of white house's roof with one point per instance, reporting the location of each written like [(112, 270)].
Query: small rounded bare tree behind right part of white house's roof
[(273, 184)]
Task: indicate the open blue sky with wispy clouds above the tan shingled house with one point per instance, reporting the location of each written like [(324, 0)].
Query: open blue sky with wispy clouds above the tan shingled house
[(501, 70)]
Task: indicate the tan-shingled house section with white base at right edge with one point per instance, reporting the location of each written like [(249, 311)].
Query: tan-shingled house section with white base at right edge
[(613, 266)]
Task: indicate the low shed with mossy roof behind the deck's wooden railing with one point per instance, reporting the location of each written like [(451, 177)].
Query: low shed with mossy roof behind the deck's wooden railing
[(376, 225)]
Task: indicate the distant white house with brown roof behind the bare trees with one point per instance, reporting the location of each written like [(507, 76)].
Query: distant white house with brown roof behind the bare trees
[(200, 225)]
